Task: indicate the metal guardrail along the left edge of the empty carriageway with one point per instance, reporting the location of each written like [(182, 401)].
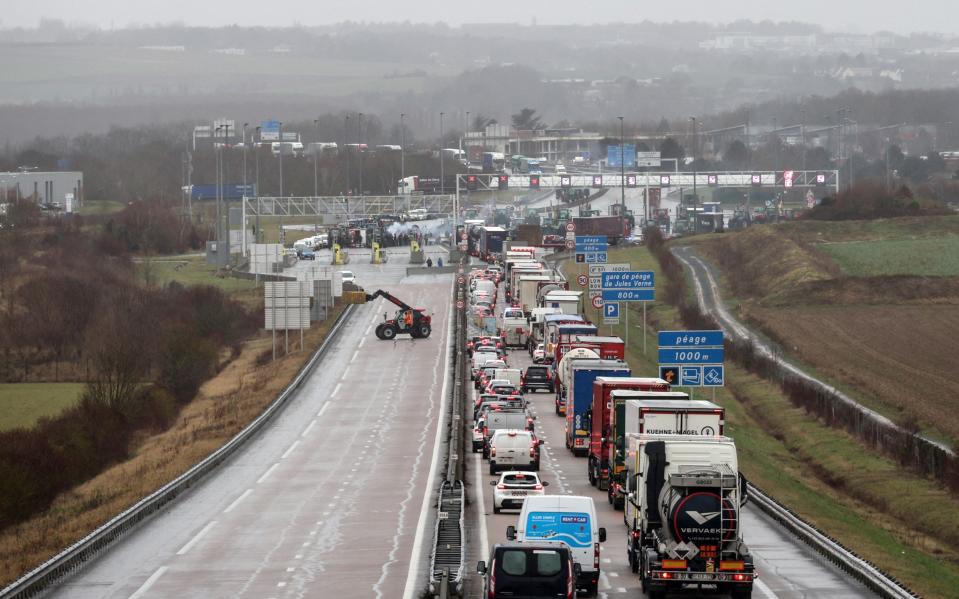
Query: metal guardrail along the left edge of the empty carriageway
[(73, 557)]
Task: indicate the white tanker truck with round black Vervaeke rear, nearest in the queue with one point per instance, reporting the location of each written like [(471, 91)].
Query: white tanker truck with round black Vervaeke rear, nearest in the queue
[(683, 502)]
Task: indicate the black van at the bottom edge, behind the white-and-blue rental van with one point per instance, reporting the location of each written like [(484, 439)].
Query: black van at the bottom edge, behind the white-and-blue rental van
[(527, 569)]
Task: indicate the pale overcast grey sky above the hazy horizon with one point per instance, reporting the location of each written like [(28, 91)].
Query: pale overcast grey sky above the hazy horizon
[(845, 15)]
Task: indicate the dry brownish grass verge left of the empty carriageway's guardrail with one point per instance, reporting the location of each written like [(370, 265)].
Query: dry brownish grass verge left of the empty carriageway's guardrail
[(224, 405)]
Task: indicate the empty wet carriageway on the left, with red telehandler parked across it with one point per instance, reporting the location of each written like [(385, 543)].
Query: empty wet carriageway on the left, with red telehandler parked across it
[(333, 499)]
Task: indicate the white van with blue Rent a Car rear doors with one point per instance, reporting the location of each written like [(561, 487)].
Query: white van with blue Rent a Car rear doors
[(567, 518)]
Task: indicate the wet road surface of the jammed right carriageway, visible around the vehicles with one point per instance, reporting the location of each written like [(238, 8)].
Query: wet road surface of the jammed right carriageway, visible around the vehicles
[(788, 569)]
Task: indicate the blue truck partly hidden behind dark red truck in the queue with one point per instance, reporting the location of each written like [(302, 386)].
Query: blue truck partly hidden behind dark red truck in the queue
[(579, 399)]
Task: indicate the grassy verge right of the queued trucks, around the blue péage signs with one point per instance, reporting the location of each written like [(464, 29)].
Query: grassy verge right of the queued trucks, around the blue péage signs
[(906, 524)]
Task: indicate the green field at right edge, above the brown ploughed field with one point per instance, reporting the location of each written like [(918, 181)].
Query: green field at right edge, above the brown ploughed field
[(930, 256)]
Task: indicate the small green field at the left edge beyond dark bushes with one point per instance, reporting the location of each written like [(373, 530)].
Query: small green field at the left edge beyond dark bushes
[(23, 404)]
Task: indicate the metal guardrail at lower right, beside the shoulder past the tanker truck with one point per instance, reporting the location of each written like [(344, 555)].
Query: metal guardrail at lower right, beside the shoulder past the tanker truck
[(858, 567)]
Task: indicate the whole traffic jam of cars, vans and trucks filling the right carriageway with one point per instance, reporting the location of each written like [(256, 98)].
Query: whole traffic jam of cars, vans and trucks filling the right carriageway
[(645, 493)]
